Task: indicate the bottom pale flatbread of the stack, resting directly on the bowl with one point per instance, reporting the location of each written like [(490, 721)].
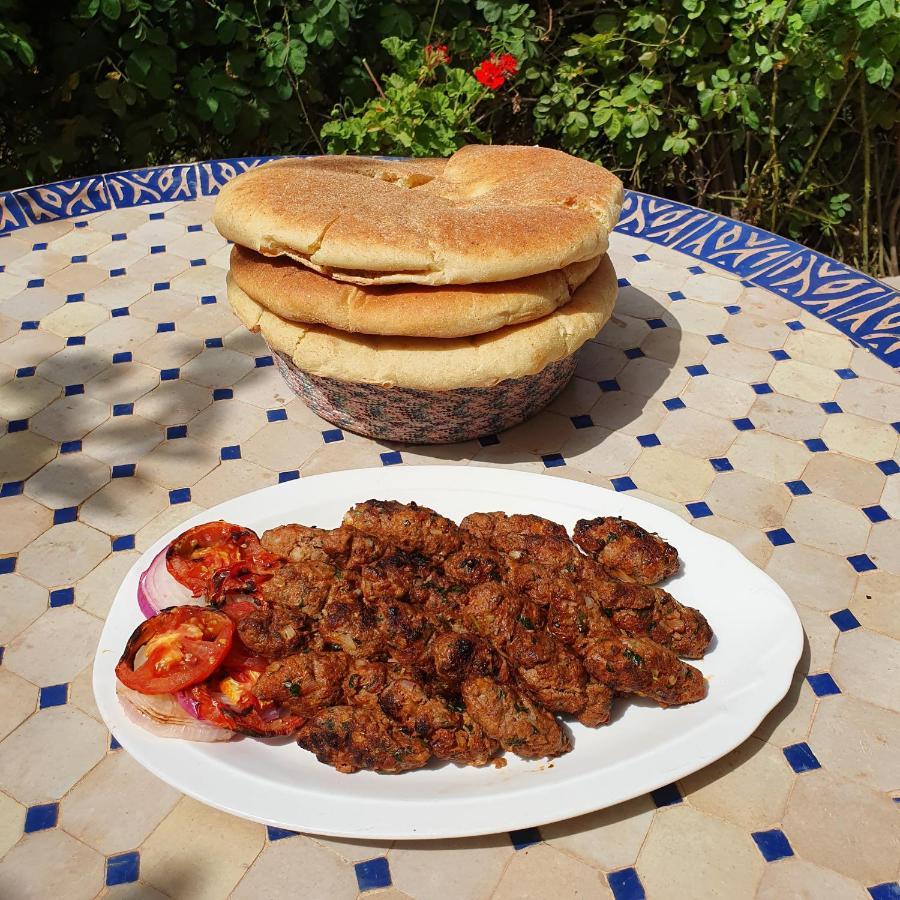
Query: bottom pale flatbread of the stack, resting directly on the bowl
[(437, 364)]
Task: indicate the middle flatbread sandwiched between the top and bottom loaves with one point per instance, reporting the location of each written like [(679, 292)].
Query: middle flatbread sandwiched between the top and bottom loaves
[(299, 294)]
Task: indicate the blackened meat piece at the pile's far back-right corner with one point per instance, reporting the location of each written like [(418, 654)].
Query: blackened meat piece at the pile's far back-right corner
[(626, 550)]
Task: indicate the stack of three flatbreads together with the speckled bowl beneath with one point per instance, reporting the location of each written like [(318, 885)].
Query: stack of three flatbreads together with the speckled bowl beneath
[(399, 290)]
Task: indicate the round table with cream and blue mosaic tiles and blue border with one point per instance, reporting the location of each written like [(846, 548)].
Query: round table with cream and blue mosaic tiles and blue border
[(727, 389)]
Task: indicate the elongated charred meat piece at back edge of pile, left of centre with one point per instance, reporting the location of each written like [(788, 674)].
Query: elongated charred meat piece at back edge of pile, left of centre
[(405, 525)]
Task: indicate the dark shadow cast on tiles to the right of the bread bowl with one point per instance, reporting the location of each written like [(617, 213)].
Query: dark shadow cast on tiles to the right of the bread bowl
[(617, 375)]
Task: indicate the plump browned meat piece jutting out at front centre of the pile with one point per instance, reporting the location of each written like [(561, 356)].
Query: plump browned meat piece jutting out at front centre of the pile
[(509, 717)]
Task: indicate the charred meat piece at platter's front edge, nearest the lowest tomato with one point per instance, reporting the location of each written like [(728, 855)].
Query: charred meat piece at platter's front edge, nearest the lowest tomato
[(350, 738)]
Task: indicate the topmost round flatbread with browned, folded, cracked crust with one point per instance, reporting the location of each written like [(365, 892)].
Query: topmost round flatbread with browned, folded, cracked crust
[(485, 214)]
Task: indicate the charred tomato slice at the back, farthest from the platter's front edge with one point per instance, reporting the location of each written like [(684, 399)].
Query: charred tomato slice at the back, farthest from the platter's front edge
[(195, 556)]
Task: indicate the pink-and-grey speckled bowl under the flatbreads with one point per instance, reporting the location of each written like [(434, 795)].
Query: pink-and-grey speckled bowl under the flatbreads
[(426, 417)]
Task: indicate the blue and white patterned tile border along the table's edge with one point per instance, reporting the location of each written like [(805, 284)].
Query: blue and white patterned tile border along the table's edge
[(861, 307)]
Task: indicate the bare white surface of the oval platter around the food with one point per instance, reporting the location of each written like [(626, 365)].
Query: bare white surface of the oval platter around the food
[(487, 801)]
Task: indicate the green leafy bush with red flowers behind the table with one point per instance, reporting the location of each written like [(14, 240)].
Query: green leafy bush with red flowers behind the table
[(780, 112)]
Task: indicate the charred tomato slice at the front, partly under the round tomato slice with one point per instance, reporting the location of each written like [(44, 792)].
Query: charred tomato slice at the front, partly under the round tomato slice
[(226, 699)]
